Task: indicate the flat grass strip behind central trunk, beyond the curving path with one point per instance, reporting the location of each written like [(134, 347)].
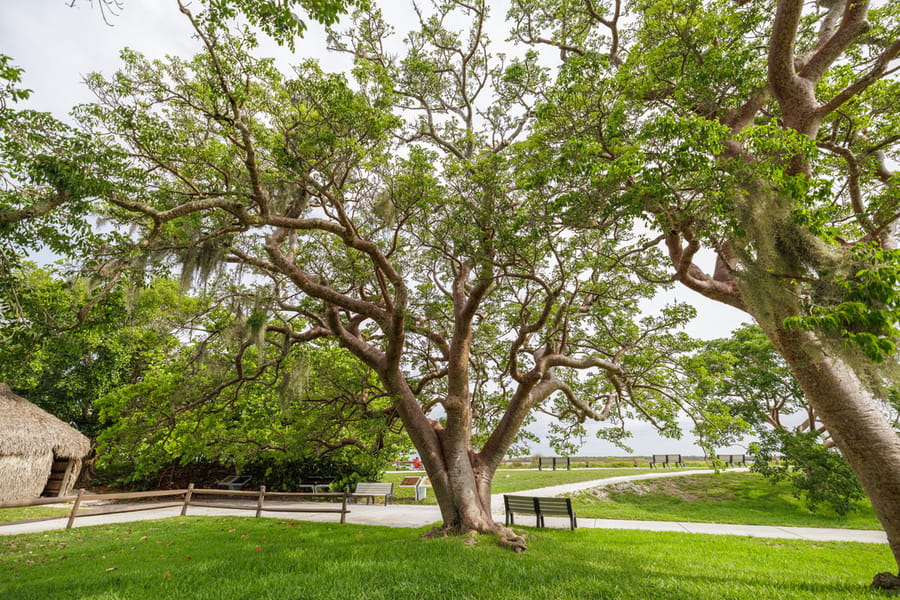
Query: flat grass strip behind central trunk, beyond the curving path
[(509, 481)]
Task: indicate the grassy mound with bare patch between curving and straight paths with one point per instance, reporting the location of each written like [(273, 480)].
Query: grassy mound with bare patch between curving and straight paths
[(743, 498)]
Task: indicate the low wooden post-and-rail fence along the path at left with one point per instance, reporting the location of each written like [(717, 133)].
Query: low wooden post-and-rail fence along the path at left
[(189, 499)]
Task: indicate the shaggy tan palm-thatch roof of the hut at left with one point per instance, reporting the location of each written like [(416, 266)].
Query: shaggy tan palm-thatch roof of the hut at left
[(26, 430)]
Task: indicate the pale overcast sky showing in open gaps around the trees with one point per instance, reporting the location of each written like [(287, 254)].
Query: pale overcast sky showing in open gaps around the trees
[(57, 46)]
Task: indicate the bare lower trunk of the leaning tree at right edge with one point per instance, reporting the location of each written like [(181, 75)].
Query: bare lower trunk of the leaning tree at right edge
[(859, 429)]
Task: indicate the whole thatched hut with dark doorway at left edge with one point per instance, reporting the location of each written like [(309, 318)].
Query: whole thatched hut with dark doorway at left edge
[(39, 454)]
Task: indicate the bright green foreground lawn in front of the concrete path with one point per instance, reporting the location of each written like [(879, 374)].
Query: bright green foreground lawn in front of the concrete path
[(199, 558)]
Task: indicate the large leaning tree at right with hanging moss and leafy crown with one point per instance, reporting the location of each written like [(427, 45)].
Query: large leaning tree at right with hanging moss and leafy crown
[(765, 133)]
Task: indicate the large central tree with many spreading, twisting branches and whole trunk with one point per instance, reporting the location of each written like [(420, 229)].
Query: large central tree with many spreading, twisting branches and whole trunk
[(471, 300)]
